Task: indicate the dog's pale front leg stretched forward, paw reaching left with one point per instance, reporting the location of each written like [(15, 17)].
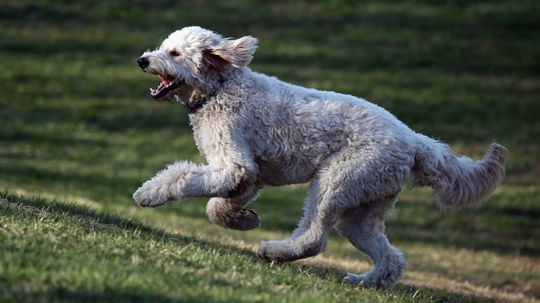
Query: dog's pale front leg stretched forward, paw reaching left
[(184, 179)]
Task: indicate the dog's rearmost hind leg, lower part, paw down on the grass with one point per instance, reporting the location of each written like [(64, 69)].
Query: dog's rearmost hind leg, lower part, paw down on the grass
[(364, 227)]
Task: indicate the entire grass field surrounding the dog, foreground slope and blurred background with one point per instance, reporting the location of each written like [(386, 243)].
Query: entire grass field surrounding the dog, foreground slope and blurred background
[(79, 134)]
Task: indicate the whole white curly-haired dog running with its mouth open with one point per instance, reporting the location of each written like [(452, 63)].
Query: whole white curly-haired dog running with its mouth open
[(256, 130)]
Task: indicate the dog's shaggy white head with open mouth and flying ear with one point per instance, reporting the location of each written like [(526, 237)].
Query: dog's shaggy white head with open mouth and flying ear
[(194, 58)]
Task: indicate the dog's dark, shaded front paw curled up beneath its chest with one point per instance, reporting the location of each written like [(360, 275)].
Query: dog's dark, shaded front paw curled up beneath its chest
[(230, 212)]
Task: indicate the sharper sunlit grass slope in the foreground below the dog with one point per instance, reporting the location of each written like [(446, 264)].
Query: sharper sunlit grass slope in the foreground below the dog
[(56, 239)]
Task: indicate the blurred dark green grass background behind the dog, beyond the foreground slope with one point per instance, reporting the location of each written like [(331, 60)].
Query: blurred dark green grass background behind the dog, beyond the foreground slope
[(77, 122)]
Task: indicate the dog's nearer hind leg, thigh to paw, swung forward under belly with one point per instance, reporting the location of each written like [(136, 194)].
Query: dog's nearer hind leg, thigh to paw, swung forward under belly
[(344, 181)]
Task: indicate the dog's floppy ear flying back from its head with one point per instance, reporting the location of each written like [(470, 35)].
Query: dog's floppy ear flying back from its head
[(238, 52)]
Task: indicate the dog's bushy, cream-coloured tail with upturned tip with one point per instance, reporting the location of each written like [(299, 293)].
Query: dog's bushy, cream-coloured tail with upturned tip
[(457, 181)]
